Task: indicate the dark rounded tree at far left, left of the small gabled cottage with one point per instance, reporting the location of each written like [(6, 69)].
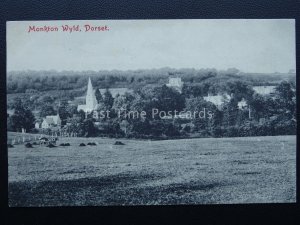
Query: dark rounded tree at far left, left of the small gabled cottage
[(22, 117)]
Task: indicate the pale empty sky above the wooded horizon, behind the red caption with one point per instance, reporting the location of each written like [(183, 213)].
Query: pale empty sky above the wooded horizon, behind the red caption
[(255, 46)]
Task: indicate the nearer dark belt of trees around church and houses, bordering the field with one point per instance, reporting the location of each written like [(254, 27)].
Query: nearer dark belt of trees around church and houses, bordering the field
[(268, 115)]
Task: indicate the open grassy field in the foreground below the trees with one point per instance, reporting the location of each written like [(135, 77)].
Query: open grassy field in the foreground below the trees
[(191, 171)]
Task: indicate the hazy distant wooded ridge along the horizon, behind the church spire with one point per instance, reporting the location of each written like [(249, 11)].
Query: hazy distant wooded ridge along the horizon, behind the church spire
[(39, 81)]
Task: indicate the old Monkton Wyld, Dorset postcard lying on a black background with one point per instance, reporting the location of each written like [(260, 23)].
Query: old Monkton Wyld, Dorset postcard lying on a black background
[(151, 112)]
